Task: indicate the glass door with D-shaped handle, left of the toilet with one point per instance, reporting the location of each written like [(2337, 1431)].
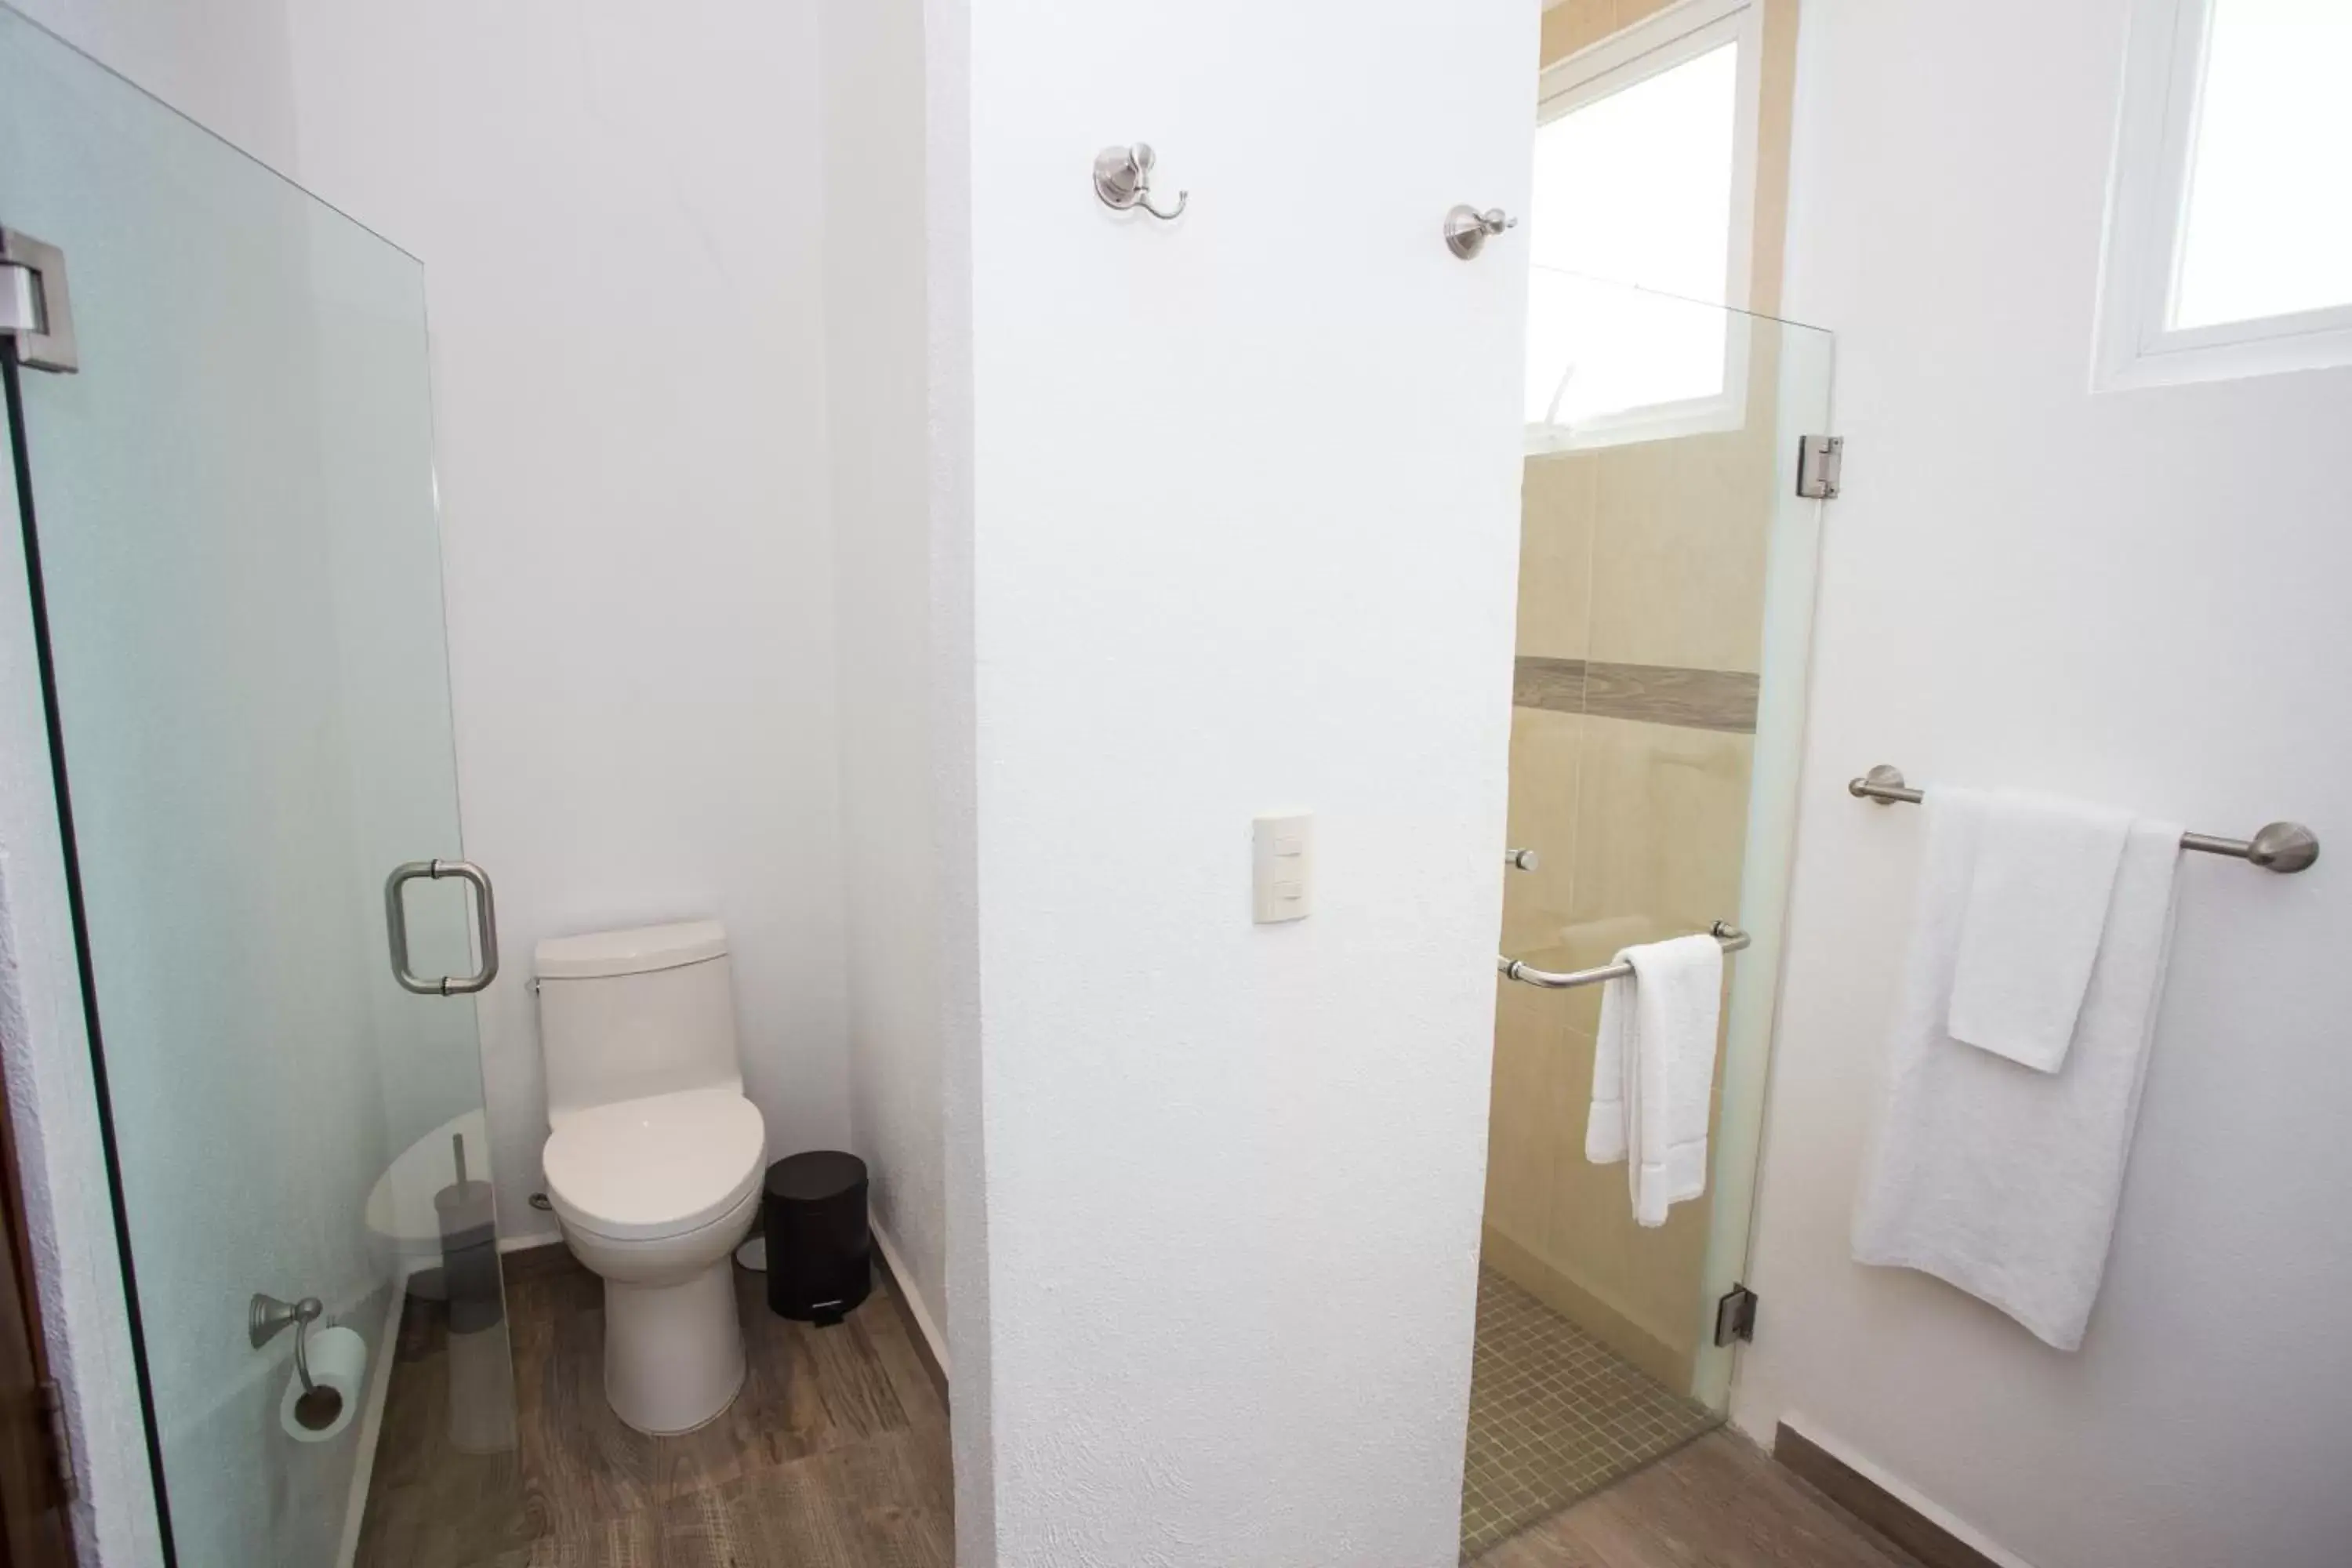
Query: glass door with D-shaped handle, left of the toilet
[(234, 556)]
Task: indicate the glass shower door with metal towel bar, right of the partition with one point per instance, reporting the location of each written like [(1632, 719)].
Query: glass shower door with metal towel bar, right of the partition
[(1666, 594)]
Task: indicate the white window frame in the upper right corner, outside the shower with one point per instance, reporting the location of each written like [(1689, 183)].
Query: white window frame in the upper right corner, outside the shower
[(2146, 239)]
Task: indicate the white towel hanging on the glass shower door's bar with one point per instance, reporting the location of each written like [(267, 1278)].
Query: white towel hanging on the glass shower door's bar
[(1655, 1073)]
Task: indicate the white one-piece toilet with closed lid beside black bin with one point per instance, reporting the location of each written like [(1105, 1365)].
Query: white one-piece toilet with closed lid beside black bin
[(655, 1158)]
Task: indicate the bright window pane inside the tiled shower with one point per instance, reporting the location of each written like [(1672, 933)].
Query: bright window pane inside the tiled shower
[(1633, 189)]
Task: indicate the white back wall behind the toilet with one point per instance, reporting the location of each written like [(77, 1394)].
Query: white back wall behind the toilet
[(617, 213)]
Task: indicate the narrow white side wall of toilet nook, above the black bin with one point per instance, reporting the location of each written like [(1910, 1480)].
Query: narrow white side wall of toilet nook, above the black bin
[(881, 469)]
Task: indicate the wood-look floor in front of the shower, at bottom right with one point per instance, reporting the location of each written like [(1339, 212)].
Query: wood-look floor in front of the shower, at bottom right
[(1718, 1503)]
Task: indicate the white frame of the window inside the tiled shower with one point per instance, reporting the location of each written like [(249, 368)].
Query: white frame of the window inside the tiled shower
[(1626, 60)]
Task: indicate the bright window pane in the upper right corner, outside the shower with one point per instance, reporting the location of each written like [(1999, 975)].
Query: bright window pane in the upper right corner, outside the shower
[(2269, 215)]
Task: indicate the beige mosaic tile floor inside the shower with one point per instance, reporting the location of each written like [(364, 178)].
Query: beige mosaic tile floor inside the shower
[(1556, 1416)]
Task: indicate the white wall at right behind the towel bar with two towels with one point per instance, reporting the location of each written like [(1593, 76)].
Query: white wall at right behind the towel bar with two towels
[(2134, 598)]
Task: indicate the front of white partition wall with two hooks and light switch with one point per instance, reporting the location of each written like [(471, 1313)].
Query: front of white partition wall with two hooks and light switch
[(1245, 540)]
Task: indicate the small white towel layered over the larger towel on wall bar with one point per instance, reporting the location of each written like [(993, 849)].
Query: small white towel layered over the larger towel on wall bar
[(2038, 906)]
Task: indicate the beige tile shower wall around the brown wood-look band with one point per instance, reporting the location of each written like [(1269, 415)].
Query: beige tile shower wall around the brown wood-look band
[(1648, 554)]
